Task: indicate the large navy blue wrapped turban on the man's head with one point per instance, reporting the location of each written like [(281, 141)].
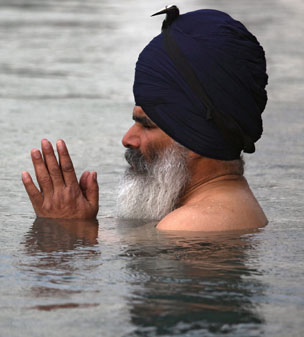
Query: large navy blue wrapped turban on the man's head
[(230, 69)]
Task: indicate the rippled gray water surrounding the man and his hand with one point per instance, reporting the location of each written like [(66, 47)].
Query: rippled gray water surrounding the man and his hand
[(66, 71)]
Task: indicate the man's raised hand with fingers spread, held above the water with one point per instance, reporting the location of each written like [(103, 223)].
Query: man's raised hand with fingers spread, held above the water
[(60, 195)]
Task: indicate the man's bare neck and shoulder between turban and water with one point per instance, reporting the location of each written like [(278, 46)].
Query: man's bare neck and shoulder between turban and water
[(217, 198)]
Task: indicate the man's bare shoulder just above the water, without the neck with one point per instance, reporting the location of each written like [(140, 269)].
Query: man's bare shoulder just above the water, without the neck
[(224, 212)]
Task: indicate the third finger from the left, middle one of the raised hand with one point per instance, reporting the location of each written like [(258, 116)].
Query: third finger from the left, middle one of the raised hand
[(51, 163)]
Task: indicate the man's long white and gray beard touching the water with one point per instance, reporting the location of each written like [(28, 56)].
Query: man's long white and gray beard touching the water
[(151, 190)]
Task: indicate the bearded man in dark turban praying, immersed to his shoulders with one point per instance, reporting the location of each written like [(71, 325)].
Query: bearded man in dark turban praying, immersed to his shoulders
[(199, 90)]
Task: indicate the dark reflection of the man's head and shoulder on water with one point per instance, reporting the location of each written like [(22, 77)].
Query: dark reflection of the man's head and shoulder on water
[(195, 285)]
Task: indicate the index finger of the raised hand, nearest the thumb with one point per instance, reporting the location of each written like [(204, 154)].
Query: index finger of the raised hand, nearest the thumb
[(66, 164)]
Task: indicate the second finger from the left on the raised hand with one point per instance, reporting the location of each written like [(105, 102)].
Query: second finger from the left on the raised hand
[(42, 174)]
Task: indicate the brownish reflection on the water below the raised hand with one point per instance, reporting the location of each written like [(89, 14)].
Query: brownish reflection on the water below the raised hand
[(54, 246)]
